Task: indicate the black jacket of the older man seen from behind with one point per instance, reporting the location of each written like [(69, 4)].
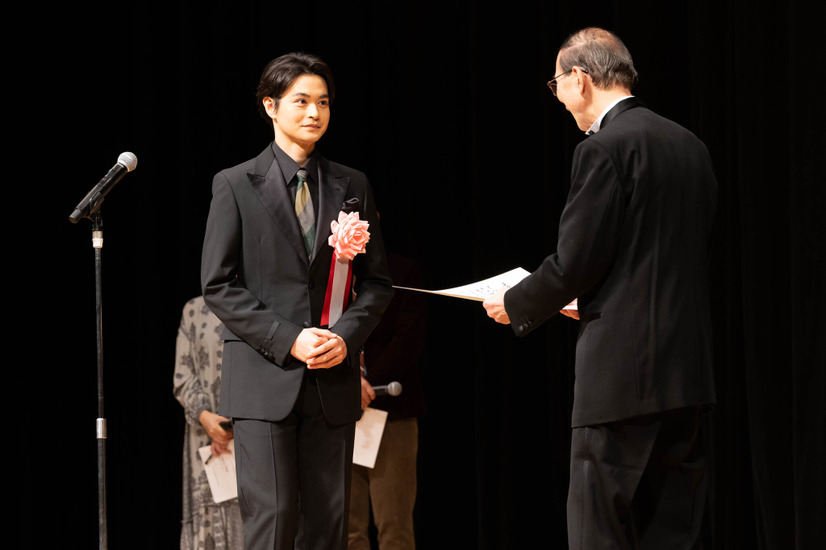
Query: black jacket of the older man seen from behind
[(633, 248)]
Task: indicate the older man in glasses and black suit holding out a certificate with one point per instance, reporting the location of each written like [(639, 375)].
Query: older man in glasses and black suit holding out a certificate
[(633, 250)]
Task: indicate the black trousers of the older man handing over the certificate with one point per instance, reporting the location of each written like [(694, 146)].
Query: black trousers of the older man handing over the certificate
[(639, 483)]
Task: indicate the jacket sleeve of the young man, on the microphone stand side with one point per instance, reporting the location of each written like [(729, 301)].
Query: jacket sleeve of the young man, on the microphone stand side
[(241, 311)]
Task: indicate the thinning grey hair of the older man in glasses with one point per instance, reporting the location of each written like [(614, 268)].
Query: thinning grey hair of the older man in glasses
[(602, 54)]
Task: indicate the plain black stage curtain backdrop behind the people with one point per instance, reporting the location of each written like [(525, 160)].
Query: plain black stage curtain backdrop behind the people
[(445, 107)]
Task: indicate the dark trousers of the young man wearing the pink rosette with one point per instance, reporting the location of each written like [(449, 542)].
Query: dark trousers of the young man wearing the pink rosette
[(293, 471)]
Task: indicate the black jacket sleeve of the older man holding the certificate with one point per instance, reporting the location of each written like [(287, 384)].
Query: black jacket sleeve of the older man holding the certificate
[(589, 230)]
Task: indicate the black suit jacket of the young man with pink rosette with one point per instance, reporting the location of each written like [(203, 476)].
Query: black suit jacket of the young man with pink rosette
[(258, 280)]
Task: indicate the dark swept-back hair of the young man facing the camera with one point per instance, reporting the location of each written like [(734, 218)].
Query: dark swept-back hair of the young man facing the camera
[(281, 72)]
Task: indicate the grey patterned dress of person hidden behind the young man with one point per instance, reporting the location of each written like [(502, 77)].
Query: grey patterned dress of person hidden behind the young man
[(205, 525)]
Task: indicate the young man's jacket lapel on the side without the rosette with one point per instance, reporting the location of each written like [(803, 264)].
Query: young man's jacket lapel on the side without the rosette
[(268, 183)]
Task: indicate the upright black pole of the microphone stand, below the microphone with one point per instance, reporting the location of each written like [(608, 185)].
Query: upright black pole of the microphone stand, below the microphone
[(100, 424)]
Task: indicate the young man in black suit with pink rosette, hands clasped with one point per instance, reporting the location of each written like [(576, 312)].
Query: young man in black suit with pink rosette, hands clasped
[(290, 378)]
